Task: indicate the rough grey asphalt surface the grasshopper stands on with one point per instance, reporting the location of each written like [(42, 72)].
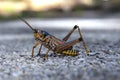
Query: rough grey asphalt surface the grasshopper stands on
[(16, 63)]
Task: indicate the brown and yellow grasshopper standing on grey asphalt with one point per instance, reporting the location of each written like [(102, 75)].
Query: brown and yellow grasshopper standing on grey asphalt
[(54, 44)]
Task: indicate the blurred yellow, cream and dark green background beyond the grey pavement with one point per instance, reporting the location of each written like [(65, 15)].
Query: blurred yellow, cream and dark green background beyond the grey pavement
[(19, 7)]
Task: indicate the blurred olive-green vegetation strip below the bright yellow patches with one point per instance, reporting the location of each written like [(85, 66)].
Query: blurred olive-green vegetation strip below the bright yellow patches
[(46, 14)]
